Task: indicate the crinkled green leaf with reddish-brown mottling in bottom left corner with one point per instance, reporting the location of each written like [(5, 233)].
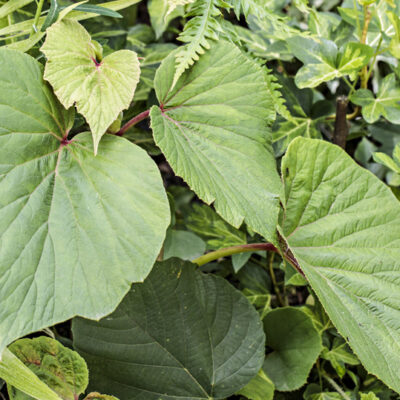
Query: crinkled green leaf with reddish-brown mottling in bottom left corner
[(62, 369)]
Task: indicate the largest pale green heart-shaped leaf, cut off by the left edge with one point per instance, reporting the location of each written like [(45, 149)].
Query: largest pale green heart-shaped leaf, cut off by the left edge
[(75, 229)]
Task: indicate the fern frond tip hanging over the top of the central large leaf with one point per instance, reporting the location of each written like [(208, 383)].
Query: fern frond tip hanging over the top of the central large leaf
[(204, 26)]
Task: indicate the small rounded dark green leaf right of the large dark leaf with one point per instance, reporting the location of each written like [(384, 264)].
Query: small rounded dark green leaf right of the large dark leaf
[(296, 345)]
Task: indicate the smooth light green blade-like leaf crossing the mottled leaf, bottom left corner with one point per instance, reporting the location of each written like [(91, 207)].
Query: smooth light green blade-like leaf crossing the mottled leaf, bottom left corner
[(20, 376)]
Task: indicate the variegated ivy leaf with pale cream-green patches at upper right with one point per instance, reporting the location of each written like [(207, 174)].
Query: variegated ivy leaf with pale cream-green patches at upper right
[(323, 62)]
